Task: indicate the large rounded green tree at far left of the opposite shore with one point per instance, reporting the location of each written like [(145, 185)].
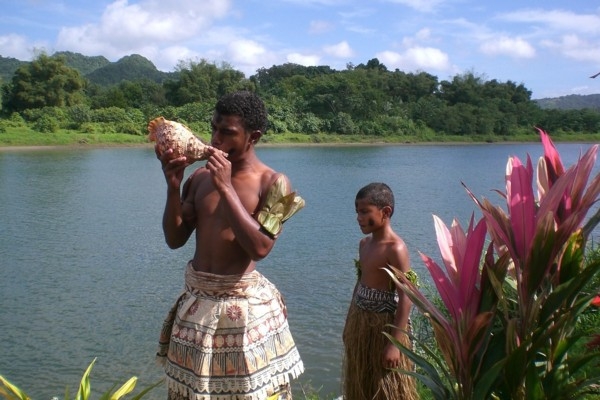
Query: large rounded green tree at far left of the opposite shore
[(45, 82)]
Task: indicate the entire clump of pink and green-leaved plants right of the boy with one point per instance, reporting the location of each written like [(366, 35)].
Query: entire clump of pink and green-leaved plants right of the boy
[(508, 329)]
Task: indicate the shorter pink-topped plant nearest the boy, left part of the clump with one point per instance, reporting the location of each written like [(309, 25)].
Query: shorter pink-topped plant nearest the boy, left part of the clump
[(462, 329)]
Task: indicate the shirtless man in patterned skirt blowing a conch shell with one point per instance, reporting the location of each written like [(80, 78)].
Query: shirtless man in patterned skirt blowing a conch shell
[(227, 335)]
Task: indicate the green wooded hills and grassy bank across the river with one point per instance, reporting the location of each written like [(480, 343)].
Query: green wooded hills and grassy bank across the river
[(69, 99)]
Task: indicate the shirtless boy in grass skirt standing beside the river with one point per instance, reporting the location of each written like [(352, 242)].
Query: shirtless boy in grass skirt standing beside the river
[(369, 355)]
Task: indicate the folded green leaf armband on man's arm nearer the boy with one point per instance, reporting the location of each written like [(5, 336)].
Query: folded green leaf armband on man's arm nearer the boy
[(279, 207)]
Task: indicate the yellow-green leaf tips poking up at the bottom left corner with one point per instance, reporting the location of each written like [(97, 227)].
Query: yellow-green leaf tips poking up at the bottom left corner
[(12, 392)]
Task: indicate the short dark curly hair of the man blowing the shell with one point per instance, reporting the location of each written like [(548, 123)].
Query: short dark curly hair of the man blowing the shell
[(248, 106)]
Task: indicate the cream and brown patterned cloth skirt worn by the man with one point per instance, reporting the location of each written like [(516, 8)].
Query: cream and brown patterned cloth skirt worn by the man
[(227, 338)]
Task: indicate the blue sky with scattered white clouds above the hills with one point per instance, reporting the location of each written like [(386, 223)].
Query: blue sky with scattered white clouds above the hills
[(551, 47)]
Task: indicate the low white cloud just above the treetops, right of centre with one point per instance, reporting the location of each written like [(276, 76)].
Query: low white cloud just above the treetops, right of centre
[(415, 59)]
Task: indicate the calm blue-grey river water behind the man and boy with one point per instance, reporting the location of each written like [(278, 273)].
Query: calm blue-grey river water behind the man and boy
[(85, 272)]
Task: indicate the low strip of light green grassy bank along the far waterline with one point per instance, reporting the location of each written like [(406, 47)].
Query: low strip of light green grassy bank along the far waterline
[(22, 136)]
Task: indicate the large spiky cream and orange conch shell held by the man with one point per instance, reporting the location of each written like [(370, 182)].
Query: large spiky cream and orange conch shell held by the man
[(173, 135)]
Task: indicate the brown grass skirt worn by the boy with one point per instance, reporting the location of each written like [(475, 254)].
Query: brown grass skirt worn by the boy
[(364, 376)]
